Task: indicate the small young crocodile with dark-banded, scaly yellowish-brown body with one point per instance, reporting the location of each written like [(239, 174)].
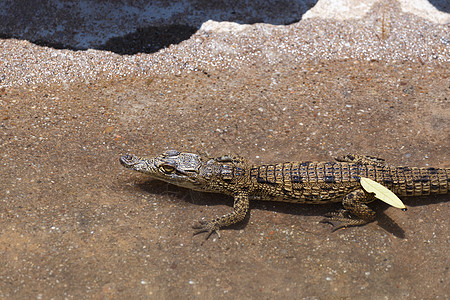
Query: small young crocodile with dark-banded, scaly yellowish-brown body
[(296, 182)]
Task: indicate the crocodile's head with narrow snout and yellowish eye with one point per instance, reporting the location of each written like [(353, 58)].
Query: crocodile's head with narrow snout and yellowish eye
[(178, 168)]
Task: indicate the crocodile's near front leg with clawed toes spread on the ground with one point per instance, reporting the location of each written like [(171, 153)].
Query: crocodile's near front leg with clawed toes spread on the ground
[(240, 208)]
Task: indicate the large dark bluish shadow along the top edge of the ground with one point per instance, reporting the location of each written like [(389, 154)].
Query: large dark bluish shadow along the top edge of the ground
[(138, 27)]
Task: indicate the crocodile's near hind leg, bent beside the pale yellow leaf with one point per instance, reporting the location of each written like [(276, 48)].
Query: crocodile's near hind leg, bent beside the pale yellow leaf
[(355, 212)]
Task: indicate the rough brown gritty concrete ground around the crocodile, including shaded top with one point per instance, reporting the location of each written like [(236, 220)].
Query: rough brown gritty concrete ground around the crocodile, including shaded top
[(260, 80)]
